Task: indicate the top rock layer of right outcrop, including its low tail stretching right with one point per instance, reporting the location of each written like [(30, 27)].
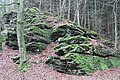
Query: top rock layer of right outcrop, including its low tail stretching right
[(72, 30)]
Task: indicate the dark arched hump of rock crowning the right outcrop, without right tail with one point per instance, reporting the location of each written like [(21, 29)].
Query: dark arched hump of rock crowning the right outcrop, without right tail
[(66, 30)]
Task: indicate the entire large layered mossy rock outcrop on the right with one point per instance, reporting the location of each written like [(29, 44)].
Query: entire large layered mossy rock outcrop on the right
[(83, 48)]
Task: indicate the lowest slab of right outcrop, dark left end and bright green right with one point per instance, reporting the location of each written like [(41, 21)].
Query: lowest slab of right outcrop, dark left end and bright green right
[(85, 64)]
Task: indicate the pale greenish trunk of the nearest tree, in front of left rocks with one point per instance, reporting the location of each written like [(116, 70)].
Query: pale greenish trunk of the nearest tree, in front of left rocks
[(20, 33)]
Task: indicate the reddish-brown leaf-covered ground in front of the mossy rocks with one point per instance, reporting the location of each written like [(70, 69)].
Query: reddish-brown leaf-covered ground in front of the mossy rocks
[(41, 71)]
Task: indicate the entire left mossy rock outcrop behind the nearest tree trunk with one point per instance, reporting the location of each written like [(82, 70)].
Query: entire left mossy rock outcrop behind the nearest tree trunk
[(37, 32)]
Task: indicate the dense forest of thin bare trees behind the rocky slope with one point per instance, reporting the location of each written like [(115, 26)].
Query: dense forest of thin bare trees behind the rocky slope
[(101, 16)]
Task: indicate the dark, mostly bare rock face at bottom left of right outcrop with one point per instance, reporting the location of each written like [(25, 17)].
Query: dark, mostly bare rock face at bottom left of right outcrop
[(66, 66)]
